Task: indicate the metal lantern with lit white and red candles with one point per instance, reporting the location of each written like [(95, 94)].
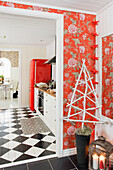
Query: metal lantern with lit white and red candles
[(99, 153)]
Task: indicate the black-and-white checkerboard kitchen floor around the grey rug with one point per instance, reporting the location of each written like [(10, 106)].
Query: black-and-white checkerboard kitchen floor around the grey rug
[(14, 145)]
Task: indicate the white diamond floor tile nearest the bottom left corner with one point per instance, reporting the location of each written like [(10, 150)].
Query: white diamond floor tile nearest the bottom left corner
[(11, 155)]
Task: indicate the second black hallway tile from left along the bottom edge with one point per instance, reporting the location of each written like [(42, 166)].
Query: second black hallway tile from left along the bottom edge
[(43, 165)]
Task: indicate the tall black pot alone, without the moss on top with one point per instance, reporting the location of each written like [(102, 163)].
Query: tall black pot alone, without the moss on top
[(82, 143)]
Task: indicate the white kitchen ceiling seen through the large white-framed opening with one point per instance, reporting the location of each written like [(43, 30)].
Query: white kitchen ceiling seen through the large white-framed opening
[(25, 30)]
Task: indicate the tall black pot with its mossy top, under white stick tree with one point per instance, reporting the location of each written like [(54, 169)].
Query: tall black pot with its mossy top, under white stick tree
[(82, 143)]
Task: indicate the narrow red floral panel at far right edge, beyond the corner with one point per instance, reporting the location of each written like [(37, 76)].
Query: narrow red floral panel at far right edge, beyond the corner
[(107, 76)]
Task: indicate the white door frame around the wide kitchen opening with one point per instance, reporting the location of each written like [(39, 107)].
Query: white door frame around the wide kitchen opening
[(59, 66)]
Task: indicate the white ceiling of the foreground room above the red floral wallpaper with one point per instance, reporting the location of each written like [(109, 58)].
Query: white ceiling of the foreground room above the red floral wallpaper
[(85, 5)]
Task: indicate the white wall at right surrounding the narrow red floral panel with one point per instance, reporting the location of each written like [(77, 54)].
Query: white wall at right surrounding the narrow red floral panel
[(105, 27)]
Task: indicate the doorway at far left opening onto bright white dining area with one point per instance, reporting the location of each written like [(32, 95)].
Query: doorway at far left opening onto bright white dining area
[(9, 71)]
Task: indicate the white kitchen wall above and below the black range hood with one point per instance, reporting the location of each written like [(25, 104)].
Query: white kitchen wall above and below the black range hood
[(50, 54)]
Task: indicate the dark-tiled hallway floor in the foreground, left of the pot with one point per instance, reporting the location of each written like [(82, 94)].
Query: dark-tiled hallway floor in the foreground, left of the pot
[(65, 163)]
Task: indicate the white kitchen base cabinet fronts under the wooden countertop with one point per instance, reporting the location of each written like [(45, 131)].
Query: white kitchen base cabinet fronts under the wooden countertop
[(49, 116)]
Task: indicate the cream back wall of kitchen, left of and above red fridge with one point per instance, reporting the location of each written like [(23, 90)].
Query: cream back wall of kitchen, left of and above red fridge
[(27, 53)]
